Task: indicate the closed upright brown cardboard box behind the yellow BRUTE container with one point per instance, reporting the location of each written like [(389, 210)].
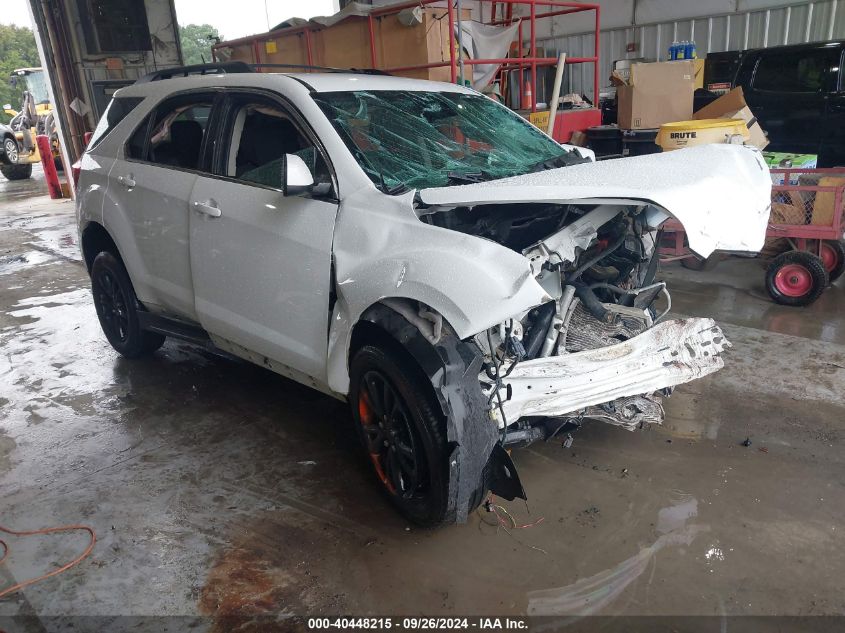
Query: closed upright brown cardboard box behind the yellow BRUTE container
[(656, 94)]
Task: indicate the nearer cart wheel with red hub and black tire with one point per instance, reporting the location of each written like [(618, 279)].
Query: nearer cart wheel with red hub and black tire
[(796, 278)]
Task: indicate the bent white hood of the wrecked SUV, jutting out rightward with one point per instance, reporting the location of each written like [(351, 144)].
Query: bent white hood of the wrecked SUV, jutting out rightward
[(720, 193)]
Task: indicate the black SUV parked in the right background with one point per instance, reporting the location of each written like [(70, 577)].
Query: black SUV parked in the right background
[(797, 93)]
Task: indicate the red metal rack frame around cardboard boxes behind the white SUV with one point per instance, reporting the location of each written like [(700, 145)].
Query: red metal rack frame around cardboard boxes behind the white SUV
[(530, 63)]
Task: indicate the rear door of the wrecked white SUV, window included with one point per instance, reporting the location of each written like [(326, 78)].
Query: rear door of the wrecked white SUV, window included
[(153, 183)]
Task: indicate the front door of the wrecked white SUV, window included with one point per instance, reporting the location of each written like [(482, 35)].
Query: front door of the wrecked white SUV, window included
[(261, 260)]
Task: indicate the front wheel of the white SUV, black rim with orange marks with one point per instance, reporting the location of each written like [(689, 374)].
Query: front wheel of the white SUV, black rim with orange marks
[(402, 431)]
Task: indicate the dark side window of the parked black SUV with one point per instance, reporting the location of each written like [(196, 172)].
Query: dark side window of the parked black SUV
[(792, 71)]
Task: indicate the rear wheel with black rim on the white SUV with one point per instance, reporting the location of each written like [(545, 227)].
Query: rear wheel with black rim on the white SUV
[(117, 308)]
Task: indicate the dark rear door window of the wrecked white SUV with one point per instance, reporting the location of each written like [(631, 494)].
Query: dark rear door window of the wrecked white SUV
[(173, 134)]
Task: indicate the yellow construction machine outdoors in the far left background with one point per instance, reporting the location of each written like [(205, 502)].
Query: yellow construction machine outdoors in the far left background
[(35, 116)]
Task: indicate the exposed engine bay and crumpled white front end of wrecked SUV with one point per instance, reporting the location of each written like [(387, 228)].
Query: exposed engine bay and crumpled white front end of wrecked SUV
[(599, 348)]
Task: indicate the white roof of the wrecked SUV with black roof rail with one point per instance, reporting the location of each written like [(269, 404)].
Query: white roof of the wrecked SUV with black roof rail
[(312, 82)]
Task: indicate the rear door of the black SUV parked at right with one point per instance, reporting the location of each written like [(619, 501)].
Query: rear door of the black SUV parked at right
[(788, 93)]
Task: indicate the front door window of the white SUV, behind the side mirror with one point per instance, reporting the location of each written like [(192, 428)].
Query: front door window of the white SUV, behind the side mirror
[(262, 134)]
